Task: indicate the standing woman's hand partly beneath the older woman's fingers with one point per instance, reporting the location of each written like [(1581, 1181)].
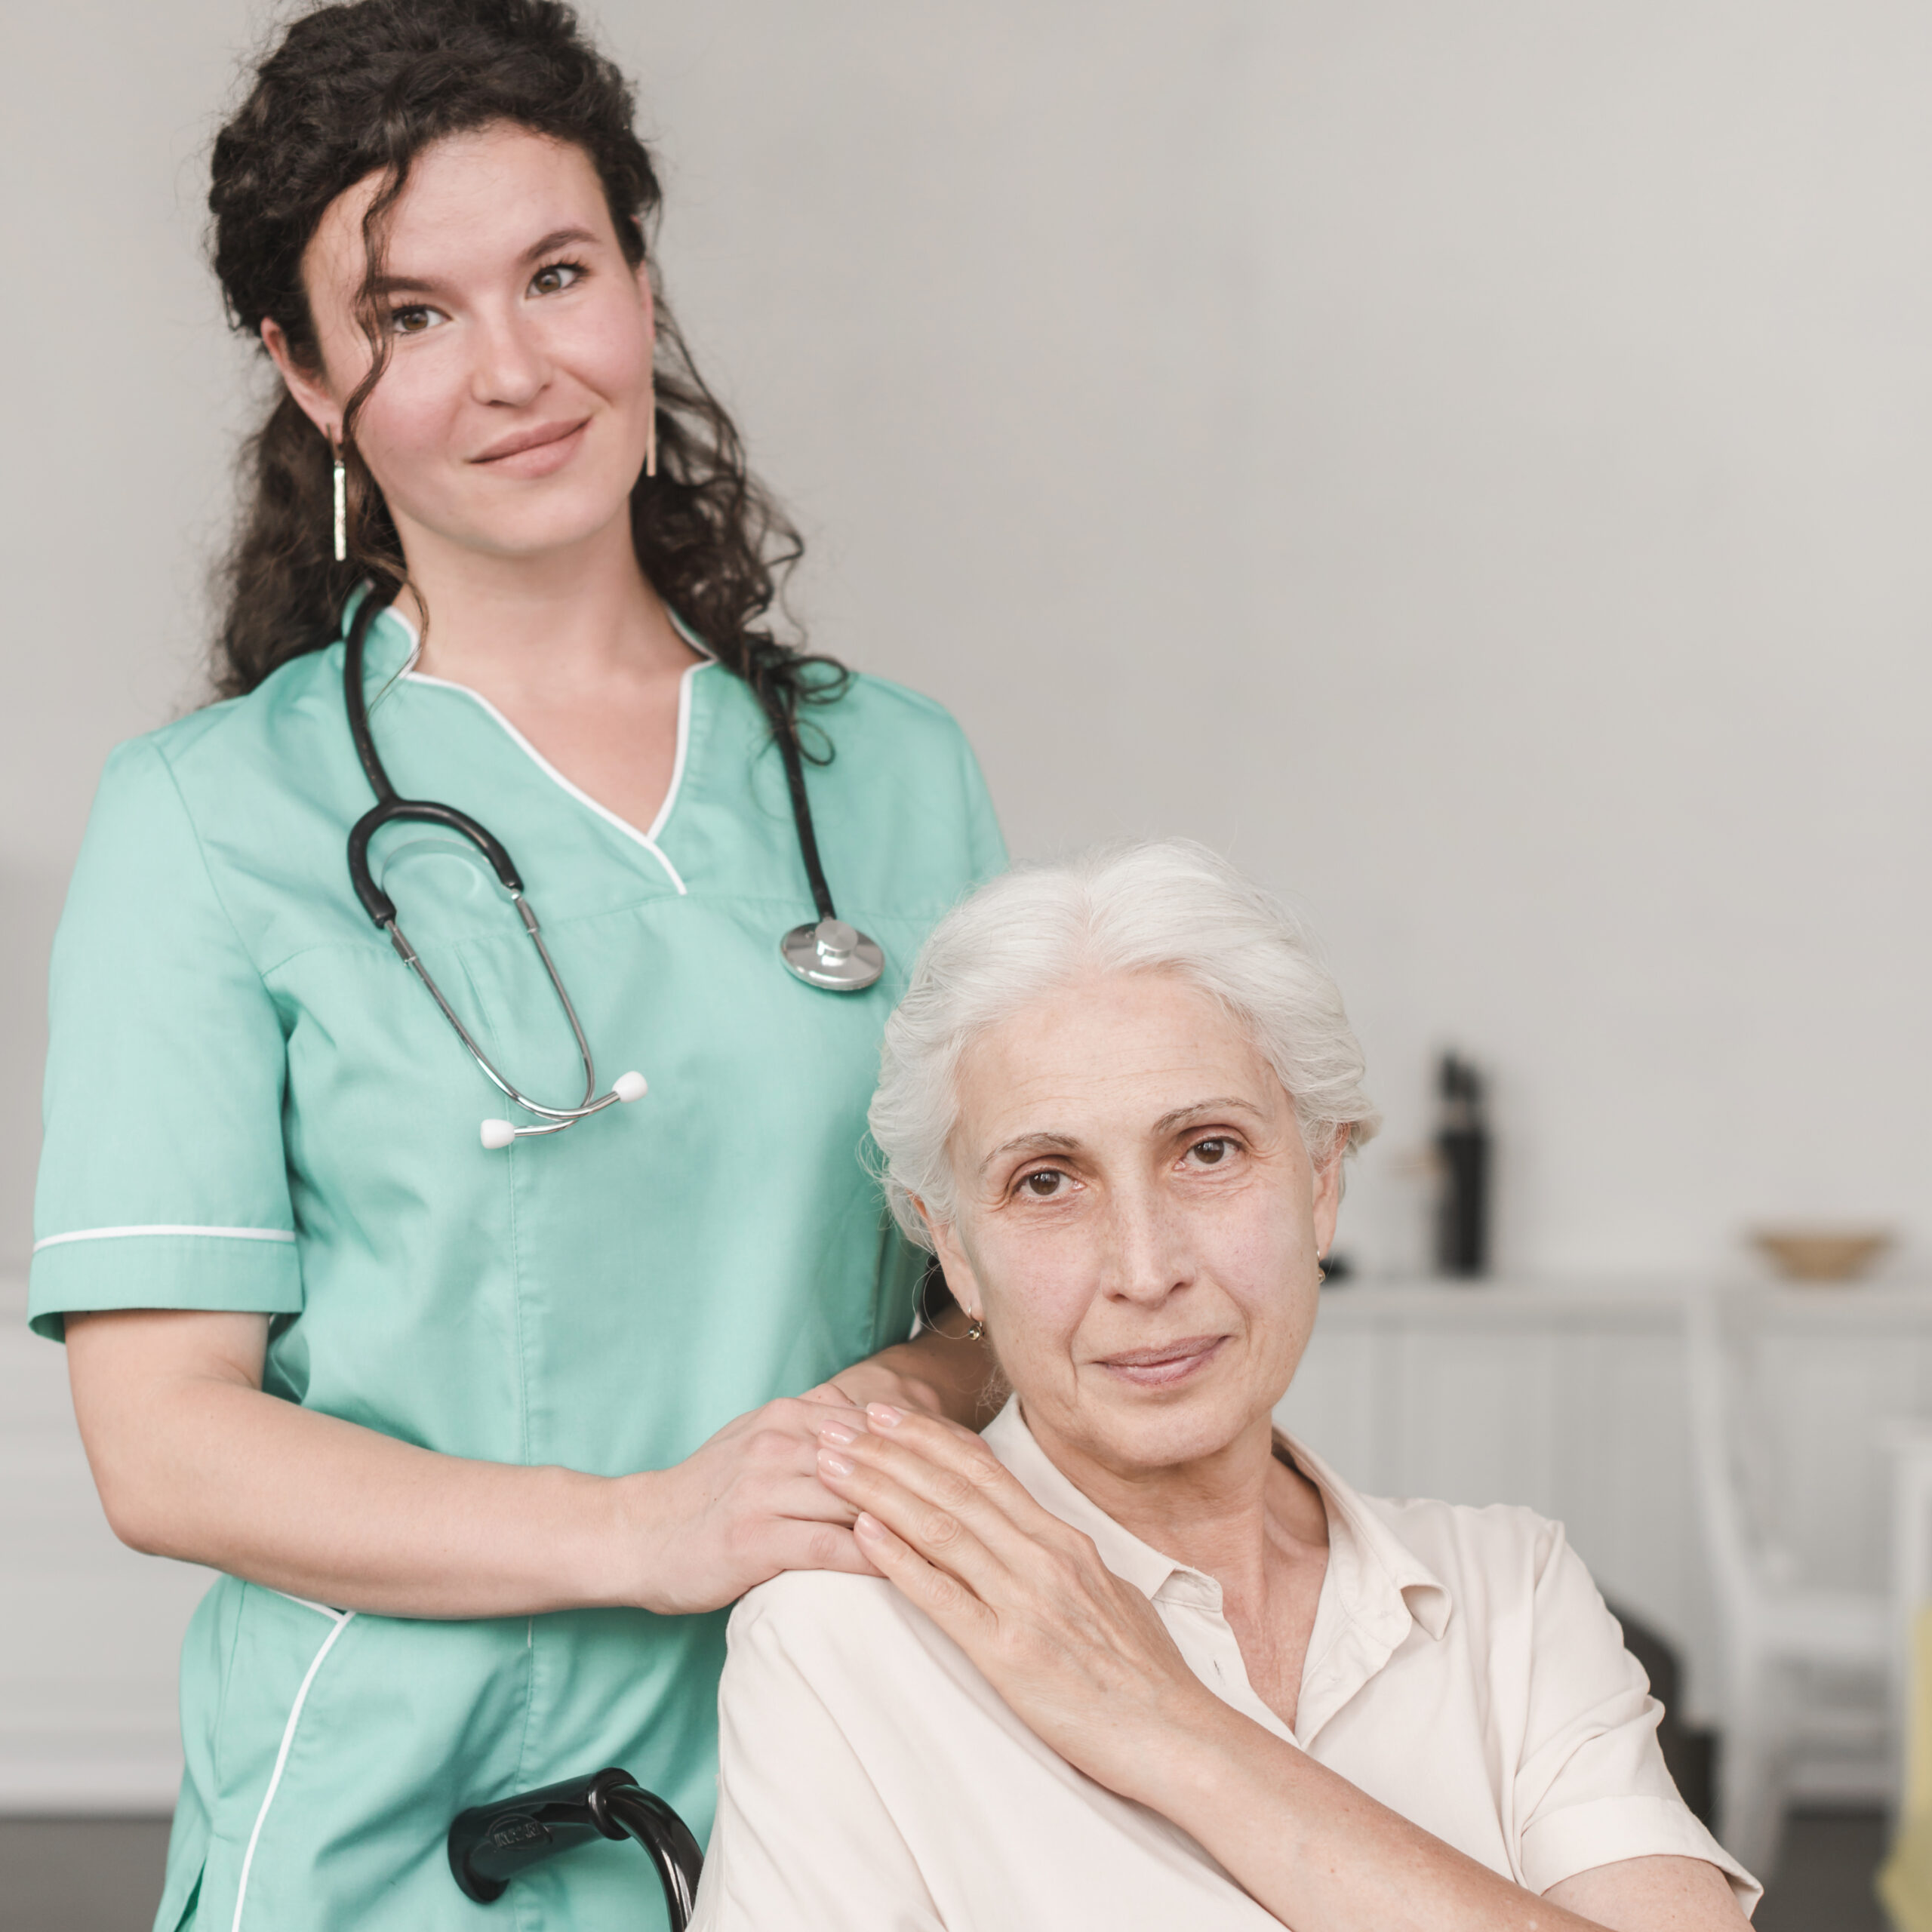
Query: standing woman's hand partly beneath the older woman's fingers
[(739, 1512)]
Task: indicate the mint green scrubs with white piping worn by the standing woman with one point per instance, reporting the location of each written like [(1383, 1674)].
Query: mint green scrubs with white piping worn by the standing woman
[(254, 1106)]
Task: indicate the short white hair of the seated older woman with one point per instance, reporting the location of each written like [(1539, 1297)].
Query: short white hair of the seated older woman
[(1158, 907)]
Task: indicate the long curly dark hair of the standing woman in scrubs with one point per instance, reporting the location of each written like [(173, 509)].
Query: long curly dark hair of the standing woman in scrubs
[(356, 92)]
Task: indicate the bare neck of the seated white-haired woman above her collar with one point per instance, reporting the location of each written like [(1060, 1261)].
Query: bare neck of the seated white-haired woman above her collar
[(1236, 1514)]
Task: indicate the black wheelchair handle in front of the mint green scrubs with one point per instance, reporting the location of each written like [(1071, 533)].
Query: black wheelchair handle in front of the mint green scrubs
[(492, 1844)]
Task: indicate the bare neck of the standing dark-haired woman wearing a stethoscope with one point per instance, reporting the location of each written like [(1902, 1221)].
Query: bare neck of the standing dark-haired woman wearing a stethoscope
[(559, 621)]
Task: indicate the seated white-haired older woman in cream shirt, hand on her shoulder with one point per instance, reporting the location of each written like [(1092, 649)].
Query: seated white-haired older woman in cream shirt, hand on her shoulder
[(1135, 1659)]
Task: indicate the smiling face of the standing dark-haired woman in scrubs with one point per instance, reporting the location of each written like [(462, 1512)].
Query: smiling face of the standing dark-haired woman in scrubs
[(515, 409)]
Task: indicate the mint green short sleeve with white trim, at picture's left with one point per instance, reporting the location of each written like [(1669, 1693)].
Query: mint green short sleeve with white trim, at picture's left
[(163, 1178)]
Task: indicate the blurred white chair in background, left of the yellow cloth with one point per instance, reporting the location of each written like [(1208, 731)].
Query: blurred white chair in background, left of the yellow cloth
[(1804, 1666)]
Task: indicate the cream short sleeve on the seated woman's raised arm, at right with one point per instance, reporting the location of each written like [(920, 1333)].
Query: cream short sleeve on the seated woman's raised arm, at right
[(1591, 1786)]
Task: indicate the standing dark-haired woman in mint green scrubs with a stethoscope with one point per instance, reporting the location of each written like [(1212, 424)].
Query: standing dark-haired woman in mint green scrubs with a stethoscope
[(482, 1438)]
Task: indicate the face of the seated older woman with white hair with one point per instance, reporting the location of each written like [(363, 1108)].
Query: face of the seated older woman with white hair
[(1139, 1220)]
